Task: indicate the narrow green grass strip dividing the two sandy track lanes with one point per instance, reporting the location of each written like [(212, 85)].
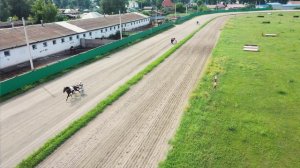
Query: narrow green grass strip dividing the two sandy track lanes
[(52, 144)]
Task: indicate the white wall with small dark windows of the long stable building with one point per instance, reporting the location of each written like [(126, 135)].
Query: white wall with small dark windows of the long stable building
[(21, 54)]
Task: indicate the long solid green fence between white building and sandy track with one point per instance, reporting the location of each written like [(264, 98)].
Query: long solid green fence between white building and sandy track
[(34, 76)]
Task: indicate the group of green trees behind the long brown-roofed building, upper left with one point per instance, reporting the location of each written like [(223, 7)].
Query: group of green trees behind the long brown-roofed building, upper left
[(47, 10)]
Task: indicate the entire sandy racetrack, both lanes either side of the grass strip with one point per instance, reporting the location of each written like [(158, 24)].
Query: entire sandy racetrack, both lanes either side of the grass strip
[(135, 130)]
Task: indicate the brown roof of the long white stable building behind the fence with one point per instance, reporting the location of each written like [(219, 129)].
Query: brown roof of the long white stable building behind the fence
[(15, 37)]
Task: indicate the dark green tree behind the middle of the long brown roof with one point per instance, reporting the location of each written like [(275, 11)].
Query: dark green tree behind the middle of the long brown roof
[(113, 6)]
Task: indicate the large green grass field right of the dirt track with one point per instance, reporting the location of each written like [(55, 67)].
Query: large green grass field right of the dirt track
[(252, 119)]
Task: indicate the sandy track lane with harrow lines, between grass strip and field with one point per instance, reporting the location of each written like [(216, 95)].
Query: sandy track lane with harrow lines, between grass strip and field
[(134, 131)]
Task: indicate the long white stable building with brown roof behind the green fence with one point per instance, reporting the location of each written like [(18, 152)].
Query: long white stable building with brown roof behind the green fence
[(60, 36)]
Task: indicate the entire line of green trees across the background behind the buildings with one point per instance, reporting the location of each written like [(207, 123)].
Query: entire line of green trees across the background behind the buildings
[(47, 10)]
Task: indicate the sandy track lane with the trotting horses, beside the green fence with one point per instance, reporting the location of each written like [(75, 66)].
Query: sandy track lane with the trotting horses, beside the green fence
[(28, 120)]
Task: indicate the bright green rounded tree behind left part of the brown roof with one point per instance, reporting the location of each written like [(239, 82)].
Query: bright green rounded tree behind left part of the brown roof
[(44, 11)]
